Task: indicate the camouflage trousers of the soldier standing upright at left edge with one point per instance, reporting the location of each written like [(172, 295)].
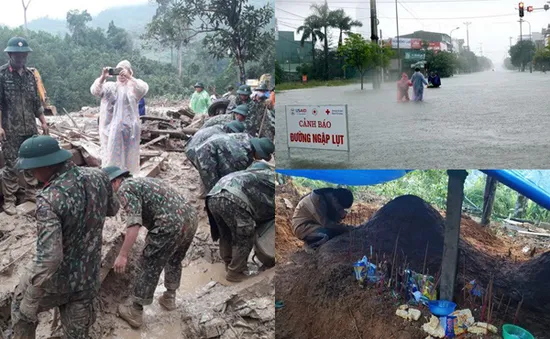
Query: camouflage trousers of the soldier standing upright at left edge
[(10, 177)]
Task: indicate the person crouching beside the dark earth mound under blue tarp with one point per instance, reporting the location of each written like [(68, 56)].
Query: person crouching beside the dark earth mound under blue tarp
[(318, 216)]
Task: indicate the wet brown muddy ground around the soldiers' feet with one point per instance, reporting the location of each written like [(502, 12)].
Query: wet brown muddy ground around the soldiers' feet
[(208, 305)]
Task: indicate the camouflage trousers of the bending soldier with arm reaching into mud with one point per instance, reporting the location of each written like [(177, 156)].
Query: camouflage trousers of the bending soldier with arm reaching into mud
[(163, 250)]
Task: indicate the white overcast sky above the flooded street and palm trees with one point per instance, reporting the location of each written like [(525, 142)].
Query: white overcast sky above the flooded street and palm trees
[(492, 21)]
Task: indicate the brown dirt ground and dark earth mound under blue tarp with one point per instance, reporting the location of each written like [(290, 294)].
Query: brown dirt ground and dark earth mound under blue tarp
[(322, 299)]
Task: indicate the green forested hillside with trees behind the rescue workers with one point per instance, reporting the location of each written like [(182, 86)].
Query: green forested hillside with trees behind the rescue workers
[(69, 64)]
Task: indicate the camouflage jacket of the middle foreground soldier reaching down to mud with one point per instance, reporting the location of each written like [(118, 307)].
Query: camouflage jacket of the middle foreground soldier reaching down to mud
[(154, 204)]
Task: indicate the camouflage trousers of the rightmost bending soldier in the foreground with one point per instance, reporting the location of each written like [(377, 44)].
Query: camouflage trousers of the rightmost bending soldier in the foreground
[(236, 228)]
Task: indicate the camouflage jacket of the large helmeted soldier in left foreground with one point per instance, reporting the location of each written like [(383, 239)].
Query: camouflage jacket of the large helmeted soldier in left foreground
[(70, 213)]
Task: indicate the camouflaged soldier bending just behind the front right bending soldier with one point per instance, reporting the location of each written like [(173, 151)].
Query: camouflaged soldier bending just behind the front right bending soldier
[(228, 153)]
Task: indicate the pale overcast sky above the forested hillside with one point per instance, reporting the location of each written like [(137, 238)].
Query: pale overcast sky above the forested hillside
[(12, 10)]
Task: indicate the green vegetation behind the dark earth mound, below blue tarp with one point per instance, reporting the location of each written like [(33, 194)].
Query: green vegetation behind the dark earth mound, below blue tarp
[(431, 185)]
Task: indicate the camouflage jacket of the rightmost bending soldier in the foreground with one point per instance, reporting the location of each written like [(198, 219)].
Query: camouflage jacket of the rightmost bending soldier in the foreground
[(251, 189)]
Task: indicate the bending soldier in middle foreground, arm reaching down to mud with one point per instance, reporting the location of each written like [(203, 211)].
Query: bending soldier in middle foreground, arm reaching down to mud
[(171, 223)]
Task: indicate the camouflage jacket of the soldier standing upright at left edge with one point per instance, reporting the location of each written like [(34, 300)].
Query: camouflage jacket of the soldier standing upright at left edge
[(19, 101)]
